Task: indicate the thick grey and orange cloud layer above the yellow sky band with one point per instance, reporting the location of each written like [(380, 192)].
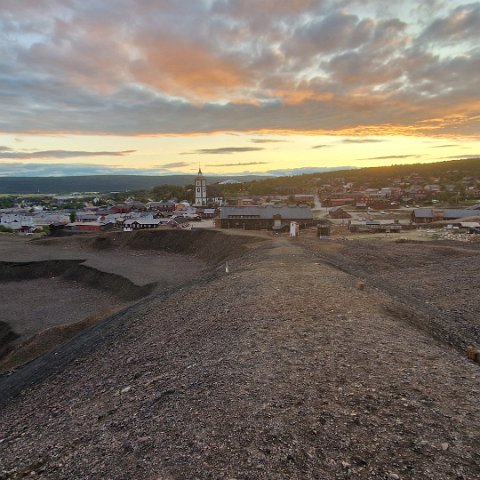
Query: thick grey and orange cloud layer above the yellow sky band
[(270, 66)]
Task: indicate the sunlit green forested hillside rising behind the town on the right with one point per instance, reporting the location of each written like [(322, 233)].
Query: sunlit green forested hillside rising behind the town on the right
[(374, 177)]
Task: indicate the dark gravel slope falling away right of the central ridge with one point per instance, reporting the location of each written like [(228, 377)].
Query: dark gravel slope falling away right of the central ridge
[(435, 284)]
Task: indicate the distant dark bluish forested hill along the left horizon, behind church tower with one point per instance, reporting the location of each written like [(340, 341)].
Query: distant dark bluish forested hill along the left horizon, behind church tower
[(100, 183)]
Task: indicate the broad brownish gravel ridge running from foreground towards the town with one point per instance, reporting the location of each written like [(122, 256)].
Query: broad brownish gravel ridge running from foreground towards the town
[(286, 367)]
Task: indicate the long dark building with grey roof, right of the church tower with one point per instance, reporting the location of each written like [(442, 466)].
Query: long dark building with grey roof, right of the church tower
[(265, 217)]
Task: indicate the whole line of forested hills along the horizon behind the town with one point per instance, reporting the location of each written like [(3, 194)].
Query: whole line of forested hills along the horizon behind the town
[(448, 172)]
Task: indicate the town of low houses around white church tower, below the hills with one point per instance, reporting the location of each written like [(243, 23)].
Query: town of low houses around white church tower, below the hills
[(336, 204)]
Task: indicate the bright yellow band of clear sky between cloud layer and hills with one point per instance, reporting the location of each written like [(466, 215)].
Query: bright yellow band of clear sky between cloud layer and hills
[(220, 154)]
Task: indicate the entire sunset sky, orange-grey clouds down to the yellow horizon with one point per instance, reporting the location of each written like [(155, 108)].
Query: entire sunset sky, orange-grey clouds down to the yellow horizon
[(276, 87)]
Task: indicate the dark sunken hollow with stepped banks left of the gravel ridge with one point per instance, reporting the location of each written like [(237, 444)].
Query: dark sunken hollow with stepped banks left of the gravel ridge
[(41, 291)]
